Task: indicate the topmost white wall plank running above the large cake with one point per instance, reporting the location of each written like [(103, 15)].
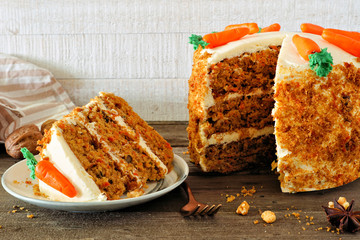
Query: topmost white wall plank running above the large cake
[(156, 16)]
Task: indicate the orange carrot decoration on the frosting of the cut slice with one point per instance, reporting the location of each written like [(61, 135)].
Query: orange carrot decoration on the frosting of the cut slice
[(49, 174)]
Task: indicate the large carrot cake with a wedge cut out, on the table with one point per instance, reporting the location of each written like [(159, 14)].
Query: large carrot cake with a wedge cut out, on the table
[(255, 99)]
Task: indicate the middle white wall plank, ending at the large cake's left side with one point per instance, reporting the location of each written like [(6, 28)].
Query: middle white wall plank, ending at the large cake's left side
[(105, 56)]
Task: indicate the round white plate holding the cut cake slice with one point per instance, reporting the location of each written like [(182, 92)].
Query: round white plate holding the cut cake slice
[(15, 182)]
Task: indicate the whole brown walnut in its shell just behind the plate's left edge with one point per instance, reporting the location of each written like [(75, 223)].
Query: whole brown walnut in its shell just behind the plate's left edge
[(26, 136)]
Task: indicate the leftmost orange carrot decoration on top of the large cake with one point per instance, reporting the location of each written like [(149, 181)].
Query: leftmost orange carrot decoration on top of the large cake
[(221, 38)]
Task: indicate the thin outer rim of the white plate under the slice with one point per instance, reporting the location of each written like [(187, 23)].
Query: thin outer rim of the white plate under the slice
[(182, 175)]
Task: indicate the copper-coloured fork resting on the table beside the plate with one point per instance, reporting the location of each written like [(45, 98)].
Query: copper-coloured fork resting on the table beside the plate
[(193, 207)]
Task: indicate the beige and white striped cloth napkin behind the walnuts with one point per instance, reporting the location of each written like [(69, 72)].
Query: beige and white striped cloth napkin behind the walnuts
[(28, 94)]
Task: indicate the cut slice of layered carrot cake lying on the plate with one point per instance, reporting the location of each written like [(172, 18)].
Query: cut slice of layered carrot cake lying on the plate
[(104, 149)]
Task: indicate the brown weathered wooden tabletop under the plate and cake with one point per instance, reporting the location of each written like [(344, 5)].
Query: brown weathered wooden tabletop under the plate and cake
[(160, 218)]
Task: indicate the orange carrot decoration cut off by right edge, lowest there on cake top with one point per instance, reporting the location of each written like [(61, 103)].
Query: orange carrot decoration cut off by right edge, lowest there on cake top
[(348, 44)]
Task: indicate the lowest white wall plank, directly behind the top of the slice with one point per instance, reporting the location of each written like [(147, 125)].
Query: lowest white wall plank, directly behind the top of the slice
[(153, 100)]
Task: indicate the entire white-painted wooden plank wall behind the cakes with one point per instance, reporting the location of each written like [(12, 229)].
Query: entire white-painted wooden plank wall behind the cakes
[(139, 49)]
